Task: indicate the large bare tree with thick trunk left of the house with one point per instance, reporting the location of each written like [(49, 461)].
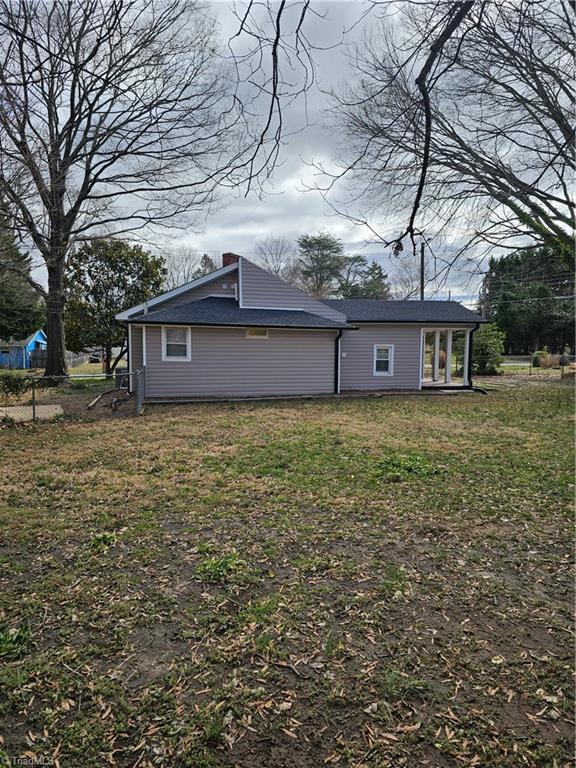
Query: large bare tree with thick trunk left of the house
[(113, 117)]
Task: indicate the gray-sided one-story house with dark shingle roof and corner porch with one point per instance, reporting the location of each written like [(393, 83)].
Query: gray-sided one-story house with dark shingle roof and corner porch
[(241, 332)]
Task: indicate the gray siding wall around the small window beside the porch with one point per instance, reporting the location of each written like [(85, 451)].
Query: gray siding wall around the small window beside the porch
[(357, 362)]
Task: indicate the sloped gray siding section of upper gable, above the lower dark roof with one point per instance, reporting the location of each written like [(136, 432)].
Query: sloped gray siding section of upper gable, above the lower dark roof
[(261, 289)]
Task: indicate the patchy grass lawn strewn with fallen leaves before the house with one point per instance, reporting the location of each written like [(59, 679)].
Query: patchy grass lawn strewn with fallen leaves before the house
[(359, 583)]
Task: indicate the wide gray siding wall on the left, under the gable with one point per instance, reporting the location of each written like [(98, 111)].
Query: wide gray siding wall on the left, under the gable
[(226, 363)]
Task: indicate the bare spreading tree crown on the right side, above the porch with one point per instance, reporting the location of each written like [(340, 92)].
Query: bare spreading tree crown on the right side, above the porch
[(495, 138)]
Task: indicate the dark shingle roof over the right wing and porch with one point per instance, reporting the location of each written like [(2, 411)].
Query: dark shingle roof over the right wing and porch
[(378, 311)]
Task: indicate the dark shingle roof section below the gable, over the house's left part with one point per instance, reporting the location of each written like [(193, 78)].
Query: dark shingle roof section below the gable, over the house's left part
[(220, 311)]
